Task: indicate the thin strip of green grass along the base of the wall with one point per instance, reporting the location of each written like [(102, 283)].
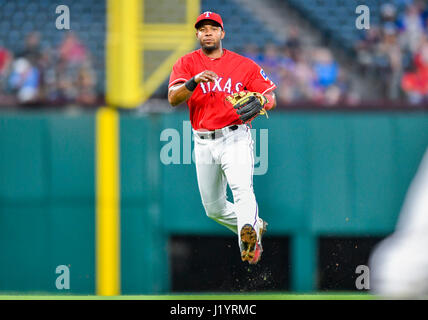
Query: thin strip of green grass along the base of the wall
[(238, 296)]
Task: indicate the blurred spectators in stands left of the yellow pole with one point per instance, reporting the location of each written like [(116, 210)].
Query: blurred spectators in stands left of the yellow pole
[(35, 75)]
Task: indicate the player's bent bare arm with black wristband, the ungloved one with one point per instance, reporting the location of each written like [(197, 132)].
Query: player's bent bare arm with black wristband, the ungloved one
[(179, 93)]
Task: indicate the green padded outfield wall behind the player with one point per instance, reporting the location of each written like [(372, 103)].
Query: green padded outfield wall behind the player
[(327, 173)]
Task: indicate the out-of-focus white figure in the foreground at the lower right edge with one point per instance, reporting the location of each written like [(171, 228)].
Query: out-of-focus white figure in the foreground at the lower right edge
[(399, 264)]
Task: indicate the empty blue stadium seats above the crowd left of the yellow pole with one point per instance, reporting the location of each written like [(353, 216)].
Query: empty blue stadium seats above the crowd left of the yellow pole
[(87, 20)]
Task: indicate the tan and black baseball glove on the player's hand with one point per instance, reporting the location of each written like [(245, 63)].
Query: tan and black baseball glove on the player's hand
[(248, 105)]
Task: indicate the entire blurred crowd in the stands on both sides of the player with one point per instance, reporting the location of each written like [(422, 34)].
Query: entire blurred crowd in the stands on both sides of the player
[(393, 52)]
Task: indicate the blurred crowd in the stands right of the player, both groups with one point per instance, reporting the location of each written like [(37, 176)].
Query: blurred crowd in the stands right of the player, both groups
[(394, 53)]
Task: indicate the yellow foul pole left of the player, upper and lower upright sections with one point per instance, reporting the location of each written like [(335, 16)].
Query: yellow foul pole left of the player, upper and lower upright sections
[(123, 90)]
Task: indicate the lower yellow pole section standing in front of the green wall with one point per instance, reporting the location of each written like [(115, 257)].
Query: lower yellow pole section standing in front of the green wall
[(107, 203)]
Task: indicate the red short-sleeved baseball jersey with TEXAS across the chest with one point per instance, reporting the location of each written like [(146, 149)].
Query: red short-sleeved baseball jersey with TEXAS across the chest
[(208, 106)]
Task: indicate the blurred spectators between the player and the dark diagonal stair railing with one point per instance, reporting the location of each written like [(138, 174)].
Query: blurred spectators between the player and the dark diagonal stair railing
[(302, 73)]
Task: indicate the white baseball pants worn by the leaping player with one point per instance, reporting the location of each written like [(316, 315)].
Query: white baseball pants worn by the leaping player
[(228, 159)]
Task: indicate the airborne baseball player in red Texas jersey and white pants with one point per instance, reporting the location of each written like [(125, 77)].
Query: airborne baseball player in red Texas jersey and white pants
[(224, 92)]
